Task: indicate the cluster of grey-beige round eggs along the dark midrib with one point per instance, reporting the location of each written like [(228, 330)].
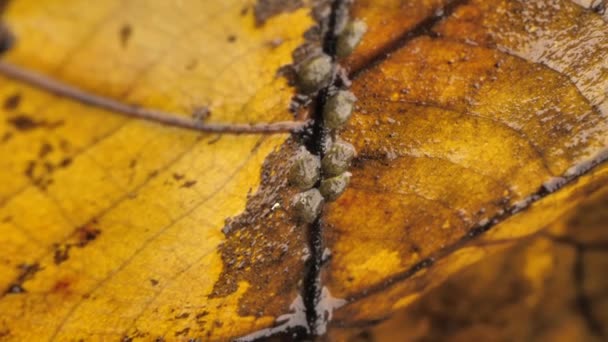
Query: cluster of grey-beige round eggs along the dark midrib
[(324, 178)]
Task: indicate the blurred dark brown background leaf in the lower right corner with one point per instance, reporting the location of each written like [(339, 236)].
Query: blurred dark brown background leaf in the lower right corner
[(533, 292)]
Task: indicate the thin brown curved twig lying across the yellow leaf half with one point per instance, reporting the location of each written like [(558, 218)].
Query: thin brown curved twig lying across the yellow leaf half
[(65, 90)]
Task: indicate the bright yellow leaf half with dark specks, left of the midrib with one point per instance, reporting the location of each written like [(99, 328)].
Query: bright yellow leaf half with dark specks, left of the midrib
[(111, 226)]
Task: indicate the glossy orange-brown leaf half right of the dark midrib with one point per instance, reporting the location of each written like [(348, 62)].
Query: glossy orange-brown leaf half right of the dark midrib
[(453, 135)]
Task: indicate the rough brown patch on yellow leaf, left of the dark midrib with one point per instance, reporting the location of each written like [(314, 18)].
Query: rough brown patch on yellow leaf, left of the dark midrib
[(265, 242)]
